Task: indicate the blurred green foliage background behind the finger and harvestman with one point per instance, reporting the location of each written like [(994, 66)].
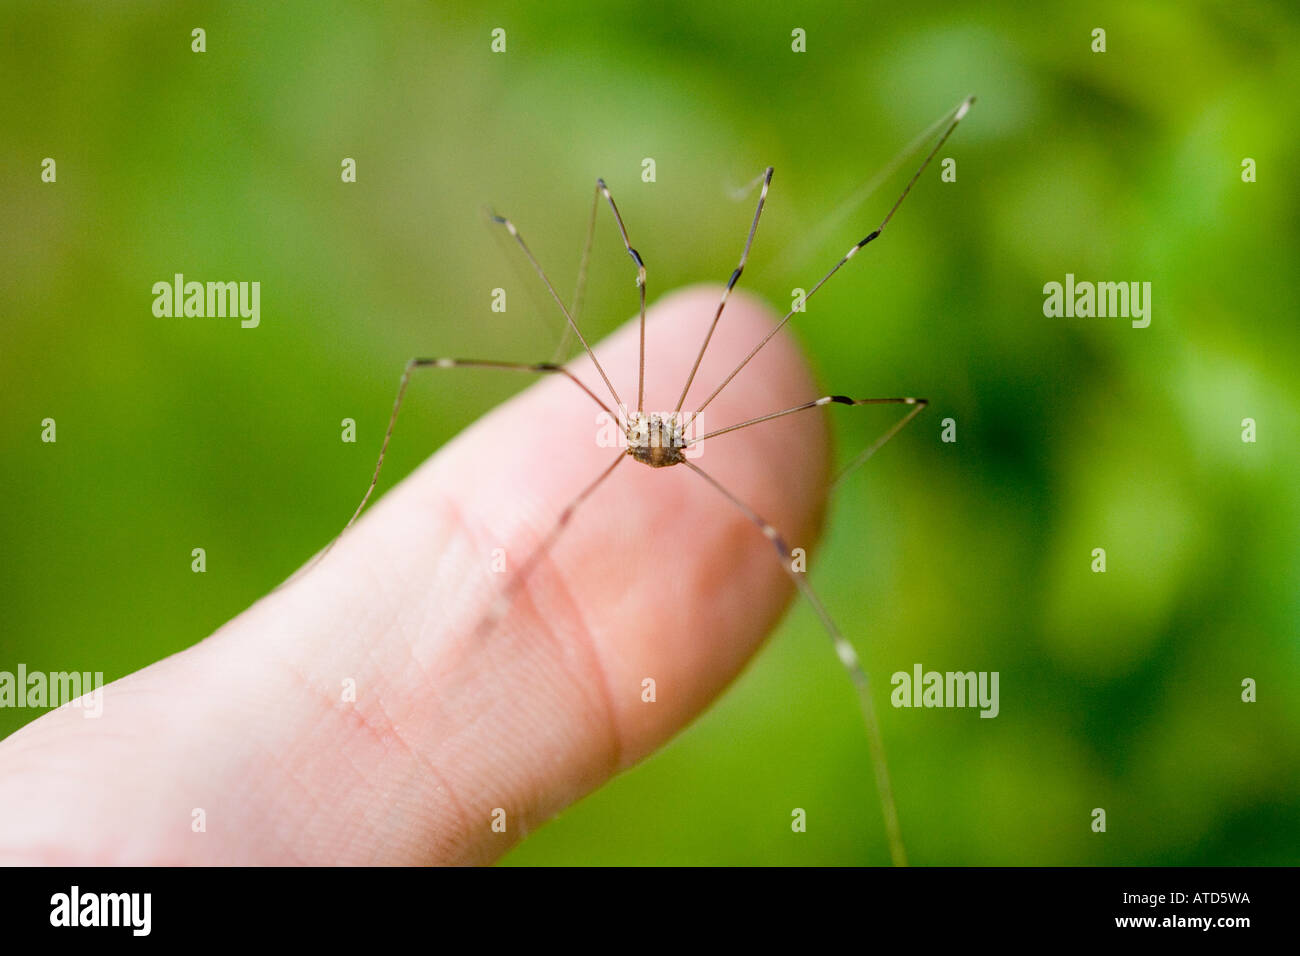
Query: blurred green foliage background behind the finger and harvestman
[(1120, 691)]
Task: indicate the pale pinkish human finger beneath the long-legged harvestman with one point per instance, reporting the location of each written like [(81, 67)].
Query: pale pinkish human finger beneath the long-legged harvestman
[(656, 577)]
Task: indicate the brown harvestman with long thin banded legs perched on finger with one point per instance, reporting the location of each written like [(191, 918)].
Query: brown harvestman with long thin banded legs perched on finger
[(661, 442)]
